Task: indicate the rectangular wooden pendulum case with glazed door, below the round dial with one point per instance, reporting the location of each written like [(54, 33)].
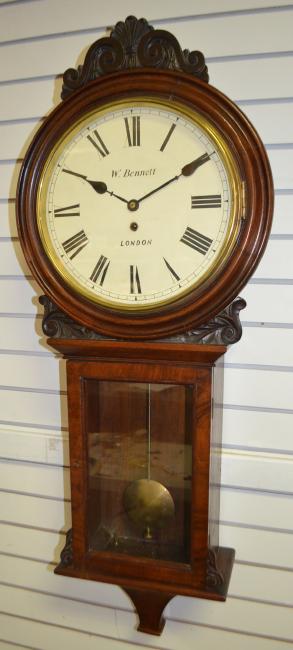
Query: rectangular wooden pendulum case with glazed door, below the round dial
[(144, 462)]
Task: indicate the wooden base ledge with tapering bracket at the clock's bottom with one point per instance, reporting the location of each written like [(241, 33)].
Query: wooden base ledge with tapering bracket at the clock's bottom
[(151, 602)]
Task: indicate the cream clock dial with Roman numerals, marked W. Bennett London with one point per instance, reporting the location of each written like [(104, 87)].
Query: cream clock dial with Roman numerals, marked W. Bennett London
[(137, 205)]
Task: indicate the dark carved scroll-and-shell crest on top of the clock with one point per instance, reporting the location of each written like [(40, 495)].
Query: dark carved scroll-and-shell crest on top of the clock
[(133, 44)]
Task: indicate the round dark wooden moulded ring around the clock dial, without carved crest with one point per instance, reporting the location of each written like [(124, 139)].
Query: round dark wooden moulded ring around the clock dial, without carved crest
[(205, 301)]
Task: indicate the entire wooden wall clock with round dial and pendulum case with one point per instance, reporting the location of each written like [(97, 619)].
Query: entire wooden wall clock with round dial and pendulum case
[(144, 205)]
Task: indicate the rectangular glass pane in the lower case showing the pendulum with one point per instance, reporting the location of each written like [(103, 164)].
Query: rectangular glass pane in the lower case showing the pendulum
[(139, 448)]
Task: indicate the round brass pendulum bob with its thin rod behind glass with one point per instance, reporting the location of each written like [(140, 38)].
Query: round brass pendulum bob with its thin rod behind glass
[(148, 503)]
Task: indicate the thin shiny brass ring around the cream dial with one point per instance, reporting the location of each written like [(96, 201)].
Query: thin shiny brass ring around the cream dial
[(236, 190)]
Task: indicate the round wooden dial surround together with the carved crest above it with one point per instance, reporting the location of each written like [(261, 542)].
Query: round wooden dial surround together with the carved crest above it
[(137, 60)]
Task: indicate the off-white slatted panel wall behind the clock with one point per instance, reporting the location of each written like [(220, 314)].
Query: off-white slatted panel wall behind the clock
[(248, 45)]
